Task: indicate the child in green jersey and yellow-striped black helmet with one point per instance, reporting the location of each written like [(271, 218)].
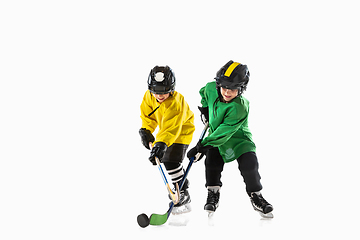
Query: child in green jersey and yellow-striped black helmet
[(229, 138)]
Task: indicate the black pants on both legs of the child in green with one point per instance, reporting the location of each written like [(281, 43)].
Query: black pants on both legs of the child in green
[(248, 166)]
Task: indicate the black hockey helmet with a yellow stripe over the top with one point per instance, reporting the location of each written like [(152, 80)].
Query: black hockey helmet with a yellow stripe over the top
[(233, 75)]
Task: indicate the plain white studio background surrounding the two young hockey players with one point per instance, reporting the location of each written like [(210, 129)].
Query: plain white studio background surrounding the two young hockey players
[(73, 74)]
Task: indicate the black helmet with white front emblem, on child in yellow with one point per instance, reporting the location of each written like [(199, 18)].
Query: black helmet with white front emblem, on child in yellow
[(161, 80)]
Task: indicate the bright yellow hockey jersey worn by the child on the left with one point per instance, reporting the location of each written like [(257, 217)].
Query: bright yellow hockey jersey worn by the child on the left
[(173, 117)]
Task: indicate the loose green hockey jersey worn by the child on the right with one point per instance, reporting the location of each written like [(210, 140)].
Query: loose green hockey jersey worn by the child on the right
[(228, 124)]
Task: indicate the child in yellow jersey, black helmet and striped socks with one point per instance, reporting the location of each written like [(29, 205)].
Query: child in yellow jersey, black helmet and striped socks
[(167, 109)]
